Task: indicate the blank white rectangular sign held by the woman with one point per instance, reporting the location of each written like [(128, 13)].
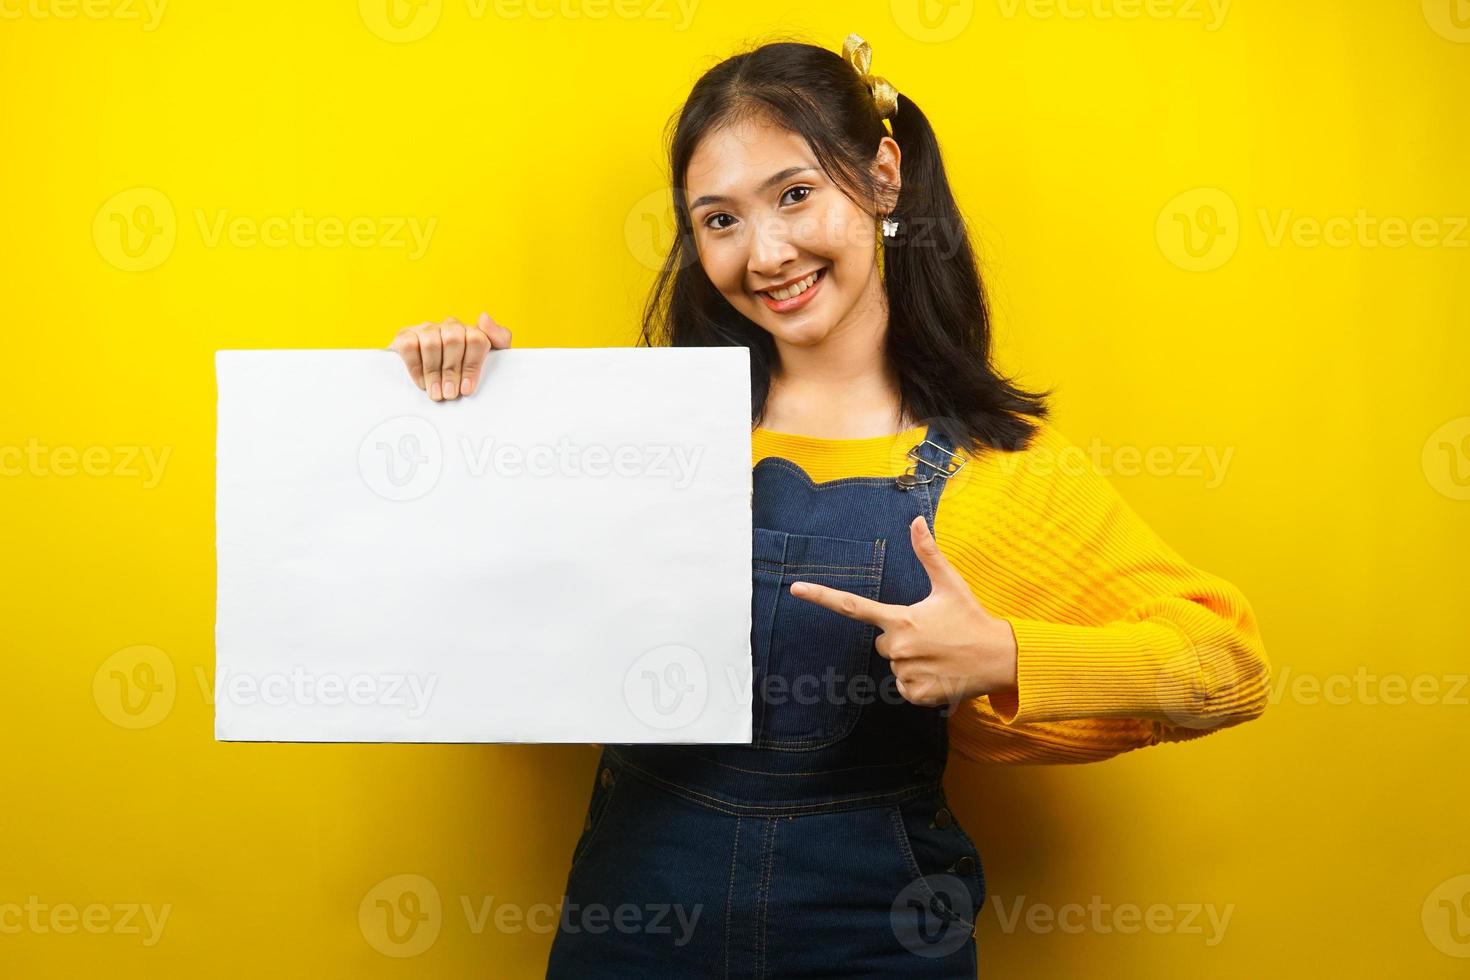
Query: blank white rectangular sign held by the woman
[(561, 558)]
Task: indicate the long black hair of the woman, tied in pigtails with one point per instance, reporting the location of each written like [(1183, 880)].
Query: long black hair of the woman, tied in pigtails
[(939, 339)]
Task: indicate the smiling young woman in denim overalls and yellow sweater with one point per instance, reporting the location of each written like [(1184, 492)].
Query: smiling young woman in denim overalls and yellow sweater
[(928, 561)]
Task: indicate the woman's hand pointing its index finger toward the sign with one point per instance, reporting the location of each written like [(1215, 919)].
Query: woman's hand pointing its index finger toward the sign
[(944, 649)]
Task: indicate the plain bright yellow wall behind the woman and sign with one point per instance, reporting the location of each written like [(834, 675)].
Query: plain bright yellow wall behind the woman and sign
[(1084, 140)]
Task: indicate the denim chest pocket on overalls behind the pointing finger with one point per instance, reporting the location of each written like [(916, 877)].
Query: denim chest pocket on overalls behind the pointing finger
[(812, 666)]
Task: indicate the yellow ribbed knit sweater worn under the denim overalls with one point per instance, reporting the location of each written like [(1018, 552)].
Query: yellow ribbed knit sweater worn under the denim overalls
[(1121, 643)]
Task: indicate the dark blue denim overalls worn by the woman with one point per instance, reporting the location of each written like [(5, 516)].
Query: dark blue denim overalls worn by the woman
[(827, 847)]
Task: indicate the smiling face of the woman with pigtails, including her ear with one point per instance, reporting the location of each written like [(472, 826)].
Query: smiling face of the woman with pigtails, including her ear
[(767, 217)]
